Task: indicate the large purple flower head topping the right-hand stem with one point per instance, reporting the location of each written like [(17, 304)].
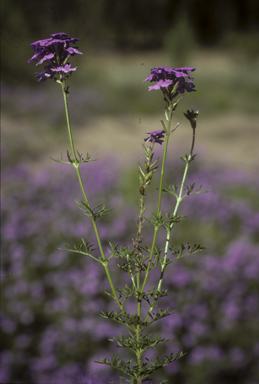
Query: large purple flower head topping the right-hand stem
[(171, 81)]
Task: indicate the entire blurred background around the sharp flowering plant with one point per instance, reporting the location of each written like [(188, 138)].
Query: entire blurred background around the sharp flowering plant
[(47, 332)]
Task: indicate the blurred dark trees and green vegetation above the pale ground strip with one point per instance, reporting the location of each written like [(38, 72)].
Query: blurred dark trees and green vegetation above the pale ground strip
[(123, 42)]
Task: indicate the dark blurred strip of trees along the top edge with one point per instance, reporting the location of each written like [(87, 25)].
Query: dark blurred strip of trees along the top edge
[(116, 24)]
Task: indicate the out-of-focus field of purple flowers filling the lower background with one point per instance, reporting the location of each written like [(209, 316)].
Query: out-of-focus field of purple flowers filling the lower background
[(51, 300)]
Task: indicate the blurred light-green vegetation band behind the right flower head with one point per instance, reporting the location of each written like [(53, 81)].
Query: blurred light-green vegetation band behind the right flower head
[(223, 81)]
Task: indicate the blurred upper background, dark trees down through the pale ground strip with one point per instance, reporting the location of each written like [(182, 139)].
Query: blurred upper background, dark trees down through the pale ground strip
[(121, 42)]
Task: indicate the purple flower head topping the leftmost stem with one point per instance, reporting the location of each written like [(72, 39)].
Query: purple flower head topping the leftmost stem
[(56, 52)]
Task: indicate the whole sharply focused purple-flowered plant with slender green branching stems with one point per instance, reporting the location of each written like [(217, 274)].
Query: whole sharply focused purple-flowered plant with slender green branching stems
[(139, 259)]
